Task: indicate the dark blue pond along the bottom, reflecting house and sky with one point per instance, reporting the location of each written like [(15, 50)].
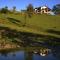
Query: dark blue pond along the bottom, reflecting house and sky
[(32, 54)]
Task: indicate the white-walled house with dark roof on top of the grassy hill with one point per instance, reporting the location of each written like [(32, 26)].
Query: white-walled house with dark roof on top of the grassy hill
[(42, 9)]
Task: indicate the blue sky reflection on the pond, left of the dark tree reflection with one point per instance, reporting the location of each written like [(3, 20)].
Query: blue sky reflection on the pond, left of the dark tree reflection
[(17, 55)]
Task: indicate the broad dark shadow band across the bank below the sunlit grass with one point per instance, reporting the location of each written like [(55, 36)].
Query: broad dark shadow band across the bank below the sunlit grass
[(28, 39)]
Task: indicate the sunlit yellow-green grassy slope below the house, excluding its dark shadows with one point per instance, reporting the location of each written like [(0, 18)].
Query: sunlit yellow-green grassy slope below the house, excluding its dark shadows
[(37, 24)]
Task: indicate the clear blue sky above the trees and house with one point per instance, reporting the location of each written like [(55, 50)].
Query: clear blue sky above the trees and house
[(22, 4)]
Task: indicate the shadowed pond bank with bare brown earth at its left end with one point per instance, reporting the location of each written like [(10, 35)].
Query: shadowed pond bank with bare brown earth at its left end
[(10, 38)]
